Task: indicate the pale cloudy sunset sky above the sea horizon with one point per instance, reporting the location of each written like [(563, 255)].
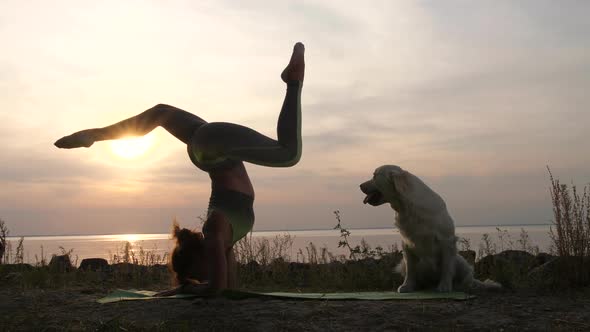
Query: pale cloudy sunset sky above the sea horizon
[(474, 97)]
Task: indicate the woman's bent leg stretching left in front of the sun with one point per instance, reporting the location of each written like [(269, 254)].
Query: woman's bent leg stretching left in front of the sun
[(177, 122)]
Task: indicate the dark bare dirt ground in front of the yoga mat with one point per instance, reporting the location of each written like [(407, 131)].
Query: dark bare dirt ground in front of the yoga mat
[(76, 309)]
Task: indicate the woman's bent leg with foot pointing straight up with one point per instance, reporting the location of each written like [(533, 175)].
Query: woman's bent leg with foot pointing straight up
[(237, 142)]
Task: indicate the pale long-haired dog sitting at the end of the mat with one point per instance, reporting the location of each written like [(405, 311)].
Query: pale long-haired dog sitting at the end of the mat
[(429, 244)]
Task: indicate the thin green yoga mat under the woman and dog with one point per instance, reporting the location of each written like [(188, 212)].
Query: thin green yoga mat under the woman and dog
[(129, 295)]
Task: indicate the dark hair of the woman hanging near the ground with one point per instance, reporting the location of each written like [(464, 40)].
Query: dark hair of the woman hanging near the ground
[(185, 255)]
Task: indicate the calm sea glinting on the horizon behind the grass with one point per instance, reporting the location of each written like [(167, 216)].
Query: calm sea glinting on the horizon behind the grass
[(36, 248)]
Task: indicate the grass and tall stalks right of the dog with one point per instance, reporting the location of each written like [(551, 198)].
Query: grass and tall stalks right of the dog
[(570, 237)]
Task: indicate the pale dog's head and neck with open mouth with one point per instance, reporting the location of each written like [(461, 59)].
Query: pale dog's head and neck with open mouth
[(391, 184)]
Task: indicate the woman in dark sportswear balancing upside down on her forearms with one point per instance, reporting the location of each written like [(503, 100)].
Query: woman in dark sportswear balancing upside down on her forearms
[(219, 149)]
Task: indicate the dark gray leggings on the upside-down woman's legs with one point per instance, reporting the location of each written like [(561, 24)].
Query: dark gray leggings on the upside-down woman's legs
[(212, 145)]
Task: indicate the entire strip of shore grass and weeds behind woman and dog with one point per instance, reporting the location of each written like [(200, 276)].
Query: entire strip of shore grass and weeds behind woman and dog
[(266, 263)]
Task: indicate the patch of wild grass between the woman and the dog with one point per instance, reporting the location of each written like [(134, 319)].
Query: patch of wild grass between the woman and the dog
[(264, 264)]
